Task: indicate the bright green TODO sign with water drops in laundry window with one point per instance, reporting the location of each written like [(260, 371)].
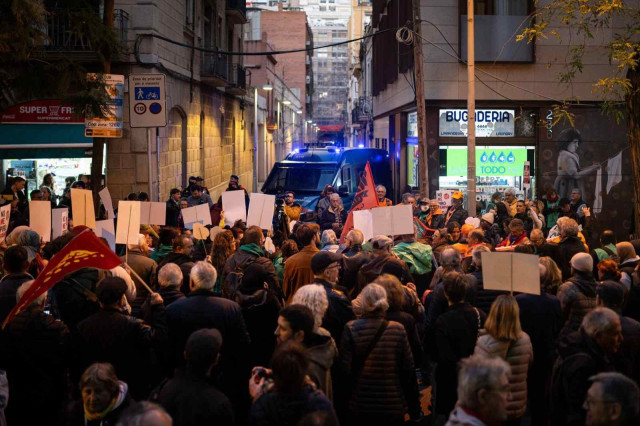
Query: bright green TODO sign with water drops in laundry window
[(489, 162)]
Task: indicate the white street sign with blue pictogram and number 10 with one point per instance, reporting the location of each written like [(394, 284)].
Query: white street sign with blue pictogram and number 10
[(147, 105)]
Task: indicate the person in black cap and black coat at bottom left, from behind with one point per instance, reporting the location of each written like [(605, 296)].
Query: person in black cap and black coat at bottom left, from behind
[(190, 396)]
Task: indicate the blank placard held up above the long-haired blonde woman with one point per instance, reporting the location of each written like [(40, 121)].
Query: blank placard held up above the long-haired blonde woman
[(517, 272)]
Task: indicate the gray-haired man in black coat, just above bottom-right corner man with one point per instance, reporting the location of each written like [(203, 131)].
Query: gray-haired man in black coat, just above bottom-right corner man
[(582, 355)]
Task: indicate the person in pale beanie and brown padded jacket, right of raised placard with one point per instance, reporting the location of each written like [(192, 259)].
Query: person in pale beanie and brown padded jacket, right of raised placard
[(578, 294)]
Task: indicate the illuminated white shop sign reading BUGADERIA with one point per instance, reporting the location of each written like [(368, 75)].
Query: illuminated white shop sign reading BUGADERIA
[(490, 123)]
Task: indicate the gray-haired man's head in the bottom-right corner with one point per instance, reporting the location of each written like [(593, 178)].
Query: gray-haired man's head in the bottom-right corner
[(612, 399)]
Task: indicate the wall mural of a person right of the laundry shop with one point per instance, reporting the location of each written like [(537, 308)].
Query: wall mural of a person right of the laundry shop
[(570, 174)]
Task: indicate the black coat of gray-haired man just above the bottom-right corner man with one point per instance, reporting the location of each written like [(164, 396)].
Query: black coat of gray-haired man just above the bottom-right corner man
[(579, 358)]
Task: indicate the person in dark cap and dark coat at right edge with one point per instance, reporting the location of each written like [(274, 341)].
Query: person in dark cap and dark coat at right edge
[(610, 294)]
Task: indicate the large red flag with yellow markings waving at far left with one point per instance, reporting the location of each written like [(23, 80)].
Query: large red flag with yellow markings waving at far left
[(84, 251)]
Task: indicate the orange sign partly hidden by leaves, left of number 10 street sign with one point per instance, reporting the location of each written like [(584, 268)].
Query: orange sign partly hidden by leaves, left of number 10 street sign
[(109, 126)]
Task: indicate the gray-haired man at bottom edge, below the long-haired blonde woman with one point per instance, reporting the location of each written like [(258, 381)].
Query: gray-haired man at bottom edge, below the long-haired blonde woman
[(483, 392)]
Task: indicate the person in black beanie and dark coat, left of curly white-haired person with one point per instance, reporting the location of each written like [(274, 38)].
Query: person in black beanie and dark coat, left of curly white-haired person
[(260, 307)]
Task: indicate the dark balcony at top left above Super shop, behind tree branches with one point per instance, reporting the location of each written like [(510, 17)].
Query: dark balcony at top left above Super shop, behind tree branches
[(66, 35)]
